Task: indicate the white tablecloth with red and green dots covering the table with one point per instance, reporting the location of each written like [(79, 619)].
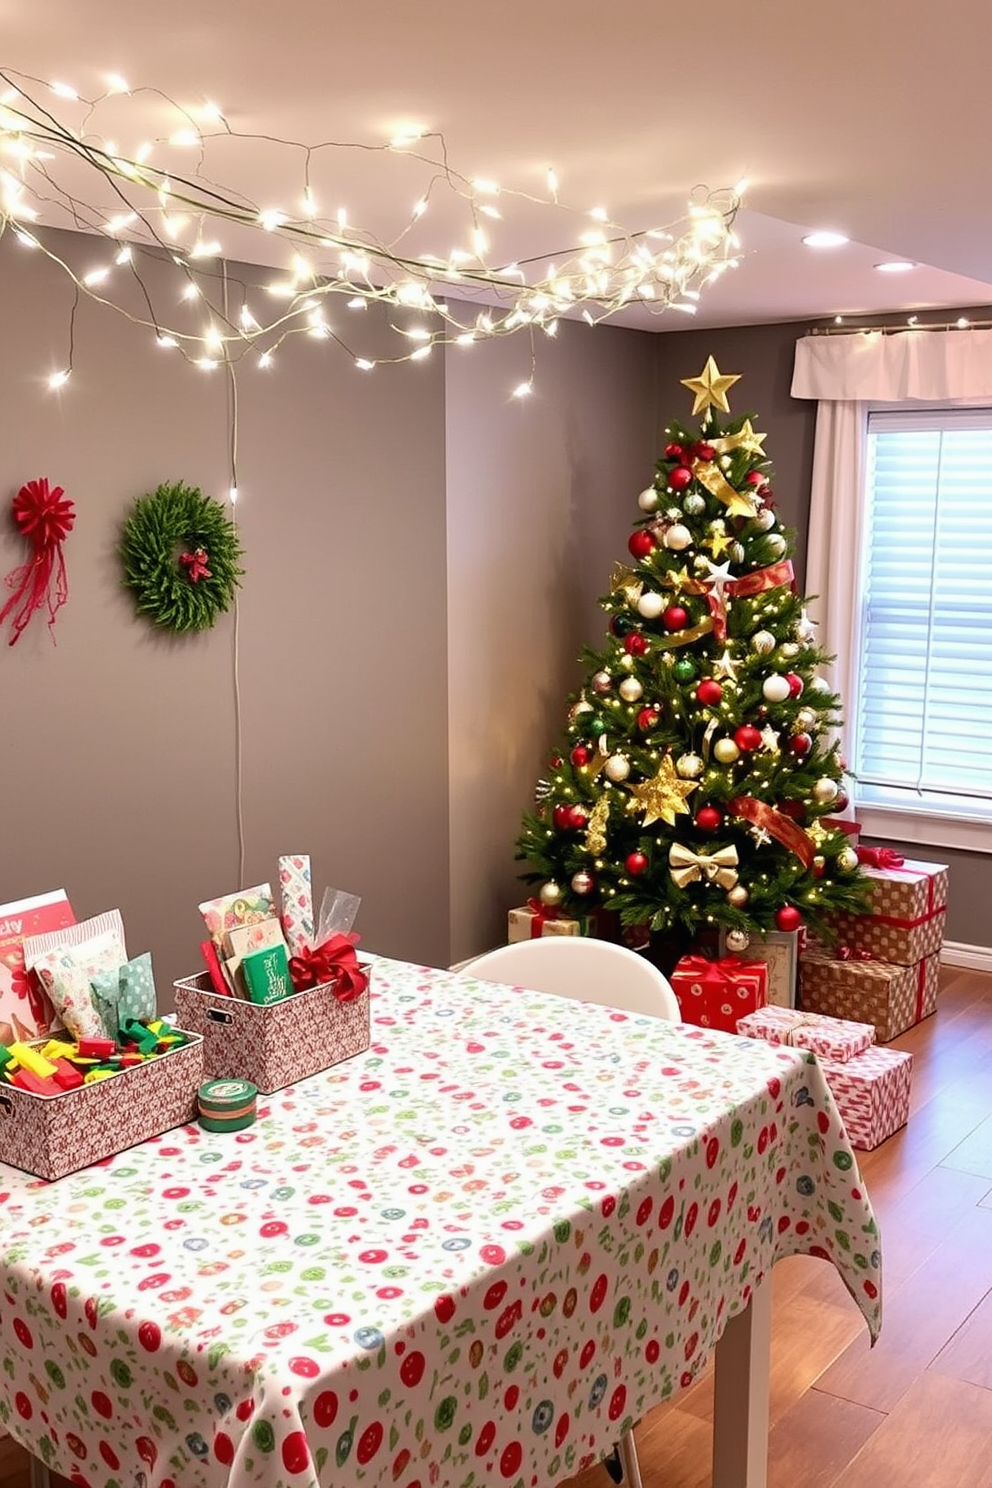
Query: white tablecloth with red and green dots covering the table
[(475, 1255)]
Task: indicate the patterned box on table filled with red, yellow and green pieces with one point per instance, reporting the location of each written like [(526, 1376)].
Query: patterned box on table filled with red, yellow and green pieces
[(51, 1136)]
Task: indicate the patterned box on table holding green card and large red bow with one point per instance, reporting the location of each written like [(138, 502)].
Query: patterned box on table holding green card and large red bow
[(274, 1044)]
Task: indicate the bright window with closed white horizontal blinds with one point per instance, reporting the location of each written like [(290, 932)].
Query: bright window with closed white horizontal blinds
[(921, 724)]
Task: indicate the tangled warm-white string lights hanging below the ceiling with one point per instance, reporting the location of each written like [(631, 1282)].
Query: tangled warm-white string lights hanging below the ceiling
[(59, 164)]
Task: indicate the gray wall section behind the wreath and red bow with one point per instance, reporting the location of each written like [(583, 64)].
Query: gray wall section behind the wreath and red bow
[(118, 743)]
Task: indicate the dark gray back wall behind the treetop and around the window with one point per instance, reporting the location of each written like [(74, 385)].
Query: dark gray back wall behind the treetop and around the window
[(765, 356)]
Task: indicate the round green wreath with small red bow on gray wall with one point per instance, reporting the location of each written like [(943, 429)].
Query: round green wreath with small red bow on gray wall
[(181, 556)]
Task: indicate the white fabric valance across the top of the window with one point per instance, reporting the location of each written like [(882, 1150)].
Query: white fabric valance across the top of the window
[(875, 367)]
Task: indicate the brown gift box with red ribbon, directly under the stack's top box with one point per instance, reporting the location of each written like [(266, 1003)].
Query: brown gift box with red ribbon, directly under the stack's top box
[(889, 996)]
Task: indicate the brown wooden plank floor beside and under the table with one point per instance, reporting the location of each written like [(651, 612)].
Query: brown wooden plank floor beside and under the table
[(917, 1410)]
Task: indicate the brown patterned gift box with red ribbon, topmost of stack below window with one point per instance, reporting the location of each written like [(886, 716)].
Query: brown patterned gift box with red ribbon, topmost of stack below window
[(906, 922)]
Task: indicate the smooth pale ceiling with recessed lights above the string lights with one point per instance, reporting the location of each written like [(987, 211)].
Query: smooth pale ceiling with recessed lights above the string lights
[(866, 117)]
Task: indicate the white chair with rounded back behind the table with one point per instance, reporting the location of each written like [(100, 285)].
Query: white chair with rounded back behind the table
[(587, 971)]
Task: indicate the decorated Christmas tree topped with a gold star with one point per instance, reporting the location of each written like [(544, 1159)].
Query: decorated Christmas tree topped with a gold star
[(700, 769)]
